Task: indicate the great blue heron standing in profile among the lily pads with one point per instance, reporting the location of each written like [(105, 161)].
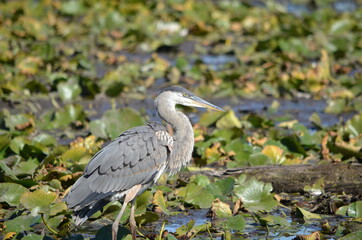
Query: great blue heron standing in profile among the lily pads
[(136, 159)]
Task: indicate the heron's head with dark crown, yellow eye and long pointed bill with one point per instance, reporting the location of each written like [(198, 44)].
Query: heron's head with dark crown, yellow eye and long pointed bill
[(179, 95)]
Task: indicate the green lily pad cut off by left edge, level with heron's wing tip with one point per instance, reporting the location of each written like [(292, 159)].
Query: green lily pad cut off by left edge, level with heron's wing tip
[(11, 193)]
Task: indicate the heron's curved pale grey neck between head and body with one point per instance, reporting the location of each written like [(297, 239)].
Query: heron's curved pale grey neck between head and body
[(183, 134)]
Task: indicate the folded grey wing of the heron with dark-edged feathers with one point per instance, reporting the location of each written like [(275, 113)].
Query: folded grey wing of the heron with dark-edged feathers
[(138, 156)]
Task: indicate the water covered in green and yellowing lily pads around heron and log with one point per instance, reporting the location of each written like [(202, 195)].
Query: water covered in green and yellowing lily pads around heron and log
[(74, 74)]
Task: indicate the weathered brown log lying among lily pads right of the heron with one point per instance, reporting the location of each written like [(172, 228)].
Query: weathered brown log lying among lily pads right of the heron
[(337, 178)]
